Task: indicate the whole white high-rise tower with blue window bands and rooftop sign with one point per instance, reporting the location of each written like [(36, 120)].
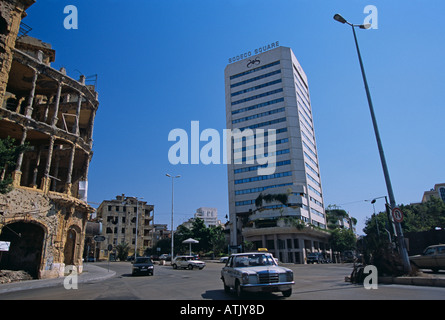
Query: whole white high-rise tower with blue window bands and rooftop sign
[(263, 92)]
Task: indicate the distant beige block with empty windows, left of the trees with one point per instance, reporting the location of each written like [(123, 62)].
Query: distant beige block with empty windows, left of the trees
[(126, 220)]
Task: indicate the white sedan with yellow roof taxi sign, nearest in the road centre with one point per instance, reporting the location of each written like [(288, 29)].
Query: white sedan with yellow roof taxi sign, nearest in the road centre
[(256, 272)]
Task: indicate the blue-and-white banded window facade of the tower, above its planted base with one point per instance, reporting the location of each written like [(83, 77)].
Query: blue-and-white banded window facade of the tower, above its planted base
[(273, 94)]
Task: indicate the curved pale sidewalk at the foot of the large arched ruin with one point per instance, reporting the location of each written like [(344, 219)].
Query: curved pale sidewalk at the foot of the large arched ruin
[(90, 273)]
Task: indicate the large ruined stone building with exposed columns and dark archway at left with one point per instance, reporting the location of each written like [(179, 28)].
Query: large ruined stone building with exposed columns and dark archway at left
[(43, 218)]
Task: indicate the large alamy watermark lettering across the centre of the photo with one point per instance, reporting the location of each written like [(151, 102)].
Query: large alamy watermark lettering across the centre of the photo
[(219, 151)]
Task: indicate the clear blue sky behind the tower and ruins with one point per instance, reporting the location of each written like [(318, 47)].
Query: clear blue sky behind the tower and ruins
[(160, 65)]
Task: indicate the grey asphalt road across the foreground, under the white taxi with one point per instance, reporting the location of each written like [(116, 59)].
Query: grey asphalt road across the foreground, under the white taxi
[(312, 282)]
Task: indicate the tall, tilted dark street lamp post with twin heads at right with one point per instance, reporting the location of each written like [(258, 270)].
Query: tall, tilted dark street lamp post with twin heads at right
[(402, 247)]
